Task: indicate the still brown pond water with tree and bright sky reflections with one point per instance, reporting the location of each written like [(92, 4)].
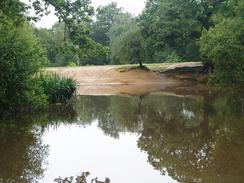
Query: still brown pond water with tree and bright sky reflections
[(157, 138)]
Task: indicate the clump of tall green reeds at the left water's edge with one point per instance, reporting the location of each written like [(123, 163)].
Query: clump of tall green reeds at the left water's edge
[(58, 89)]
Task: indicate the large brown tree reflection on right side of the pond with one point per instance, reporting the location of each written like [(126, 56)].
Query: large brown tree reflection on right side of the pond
[(211, 151)]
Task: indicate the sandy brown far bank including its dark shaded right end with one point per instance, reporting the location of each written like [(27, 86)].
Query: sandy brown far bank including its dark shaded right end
[(109, 80)]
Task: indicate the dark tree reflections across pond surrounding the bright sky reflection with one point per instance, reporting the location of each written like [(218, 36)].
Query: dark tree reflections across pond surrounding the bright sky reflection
[(190, 138)]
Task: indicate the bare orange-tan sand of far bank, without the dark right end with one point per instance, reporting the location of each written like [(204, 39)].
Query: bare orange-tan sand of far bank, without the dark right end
[(107, 80)]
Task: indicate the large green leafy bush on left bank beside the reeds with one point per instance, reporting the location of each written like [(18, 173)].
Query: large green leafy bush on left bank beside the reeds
[(21, 56)]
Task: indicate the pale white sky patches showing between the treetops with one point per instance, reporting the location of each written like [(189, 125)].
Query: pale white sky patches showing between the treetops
[(134, 7)]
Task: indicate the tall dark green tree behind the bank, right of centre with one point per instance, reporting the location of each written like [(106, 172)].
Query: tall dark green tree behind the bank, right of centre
[(171, 27)]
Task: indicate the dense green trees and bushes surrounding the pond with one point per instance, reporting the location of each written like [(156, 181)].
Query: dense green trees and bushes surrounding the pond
[(211, 31)]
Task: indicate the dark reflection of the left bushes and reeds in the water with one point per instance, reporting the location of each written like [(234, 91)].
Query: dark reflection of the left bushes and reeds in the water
[(22, 151)]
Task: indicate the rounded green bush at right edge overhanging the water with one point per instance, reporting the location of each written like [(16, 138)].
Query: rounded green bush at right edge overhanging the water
[(223, 45)]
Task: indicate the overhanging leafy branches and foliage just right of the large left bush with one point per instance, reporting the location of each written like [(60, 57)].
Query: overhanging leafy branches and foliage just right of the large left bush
[(70, 39)]
